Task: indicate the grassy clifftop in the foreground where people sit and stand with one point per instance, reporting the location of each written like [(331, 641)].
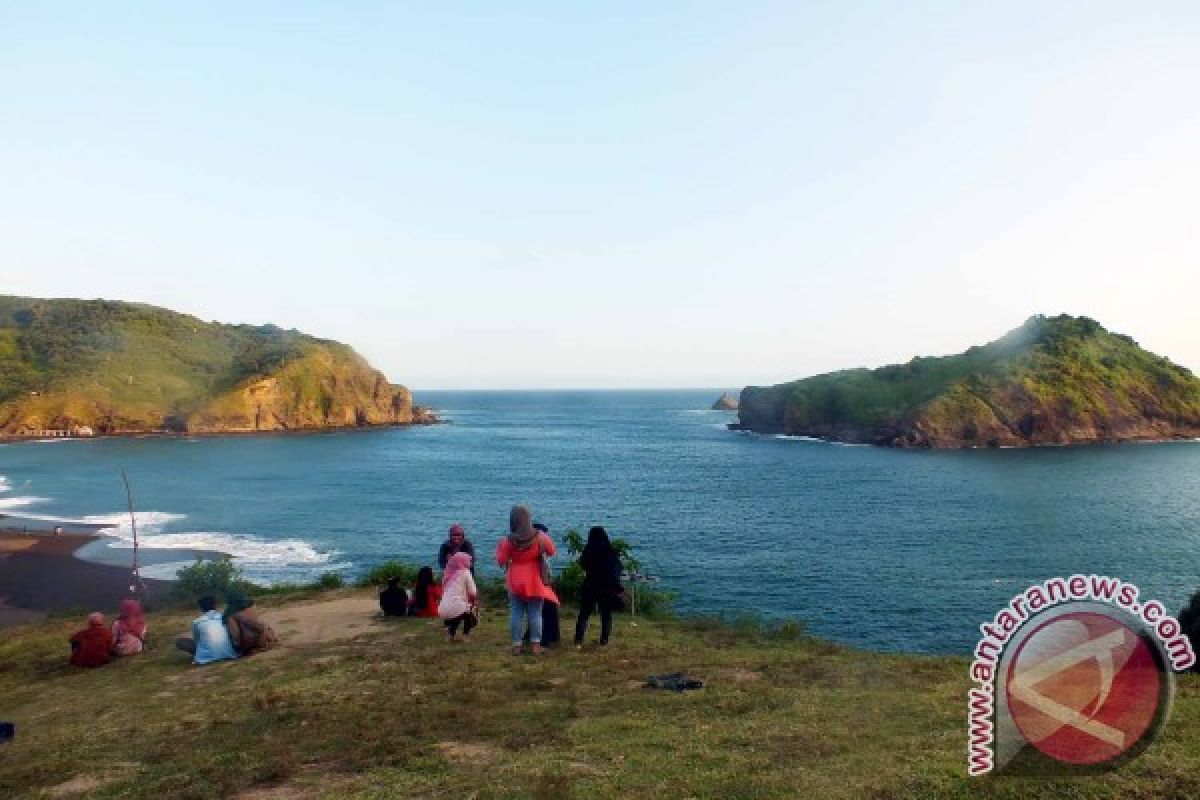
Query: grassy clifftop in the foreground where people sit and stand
[(400, 713)]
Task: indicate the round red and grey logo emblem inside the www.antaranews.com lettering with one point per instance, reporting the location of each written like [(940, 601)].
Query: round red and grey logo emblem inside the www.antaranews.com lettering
[(1084, 688)]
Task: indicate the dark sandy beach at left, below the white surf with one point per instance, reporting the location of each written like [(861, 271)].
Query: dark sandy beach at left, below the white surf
[(40, 574)]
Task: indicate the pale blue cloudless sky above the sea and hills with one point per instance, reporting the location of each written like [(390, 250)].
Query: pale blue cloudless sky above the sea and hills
[(643, 195)]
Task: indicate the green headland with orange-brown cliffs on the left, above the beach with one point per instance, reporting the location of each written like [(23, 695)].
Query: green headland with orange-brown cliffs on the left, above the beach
[(119, 368)]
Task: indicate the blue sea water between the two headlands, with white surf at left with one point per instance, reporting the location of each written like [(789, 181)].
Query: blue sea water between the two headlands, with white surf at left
[(889, 550)]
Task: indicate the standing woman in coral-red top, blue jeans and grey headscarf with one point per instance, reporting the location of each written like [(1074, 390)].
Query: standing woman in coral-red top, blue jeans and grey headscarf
[(523, 555)]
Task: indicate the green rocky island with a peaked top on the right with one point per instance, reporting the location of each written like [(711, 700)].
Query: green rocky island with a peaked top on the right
[(1053, 381)]
